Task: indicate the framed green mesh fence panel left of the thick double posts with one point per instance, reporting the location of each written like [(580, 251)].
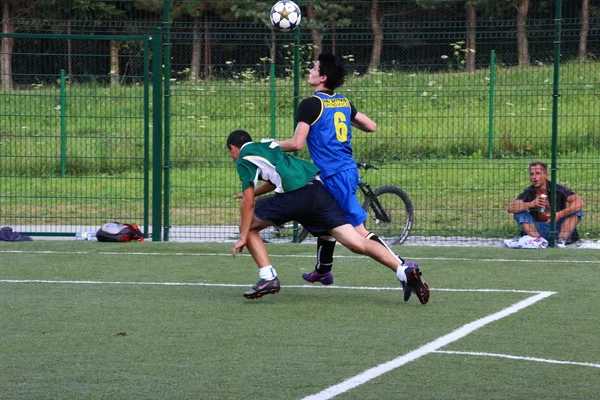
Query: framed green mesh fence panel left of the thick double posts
[(74, 146)]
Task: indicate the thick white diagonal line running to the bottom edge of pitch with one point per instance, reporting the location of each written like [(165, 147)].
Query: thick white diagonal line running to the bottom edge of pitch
[(428, 348)]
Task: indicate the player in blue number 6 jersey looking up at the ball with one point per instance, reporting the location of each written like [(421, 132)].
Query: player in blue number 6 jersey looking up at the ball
[(324, 123)]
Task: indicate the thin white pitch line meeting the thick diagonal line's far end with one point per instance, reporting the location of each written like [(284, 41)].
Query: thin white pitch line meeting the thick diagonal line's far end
[(329, 287)]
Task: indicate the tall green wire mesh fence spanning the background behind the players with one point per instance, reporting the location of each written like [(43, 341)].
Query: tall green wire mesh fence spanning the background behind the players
[(461, 109)]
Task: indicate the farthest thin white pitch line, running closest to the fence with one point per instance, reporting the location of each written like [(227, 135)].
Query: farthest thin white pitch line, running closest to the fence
[(139, 253)]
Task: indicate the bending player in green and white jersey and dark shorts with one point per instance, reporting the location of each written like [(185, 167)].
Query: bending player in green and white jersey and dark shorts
[(301, 196)]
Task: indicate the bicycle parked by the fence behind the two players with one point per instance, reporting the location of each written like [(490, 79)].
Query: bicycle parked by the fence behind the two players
[(390, 214)]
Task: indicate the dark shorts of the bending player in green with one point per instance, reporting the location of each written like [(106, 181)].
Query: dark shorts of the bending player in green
[(312, 206)]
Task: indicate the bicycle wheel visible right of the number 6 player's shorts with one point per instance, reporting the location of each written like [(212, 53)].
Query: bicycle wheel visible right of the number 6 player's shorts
[(390, 214)]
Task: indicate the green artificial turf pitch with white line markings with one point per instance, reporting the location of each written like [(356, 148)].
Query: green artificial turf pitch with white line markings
[(168, 321)]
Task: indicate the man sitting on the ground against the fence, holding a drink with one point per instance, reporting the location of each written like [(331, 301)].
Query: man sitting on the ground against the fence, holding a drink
[(532, 207)]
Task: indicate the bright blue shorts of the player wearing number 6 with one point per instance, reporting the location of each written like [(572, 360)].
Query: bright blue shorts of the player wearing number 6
[(342, 187)]
